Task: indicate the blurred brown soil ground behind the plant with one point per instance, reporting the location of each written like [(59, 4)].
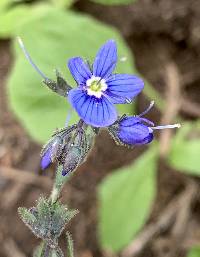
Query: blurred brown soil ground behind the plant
[(158, 32)]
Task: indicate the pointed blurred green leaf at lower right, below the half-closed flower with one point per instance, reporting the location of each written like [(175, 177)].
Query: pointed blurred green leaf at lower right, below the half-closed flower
[(126, 199)]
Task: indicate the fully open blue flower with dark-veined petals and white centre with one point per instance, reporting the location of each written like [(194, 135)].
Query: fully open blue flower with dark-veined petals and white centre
[(98, 89)]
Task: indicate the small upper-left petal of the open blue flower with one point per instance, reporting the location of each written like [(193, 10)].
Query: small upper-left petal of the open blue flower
[(79, 70)]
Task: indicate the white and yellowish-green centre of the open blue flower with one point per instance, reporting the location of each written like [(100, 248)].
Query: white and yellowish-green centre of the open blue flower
[(96, 86)]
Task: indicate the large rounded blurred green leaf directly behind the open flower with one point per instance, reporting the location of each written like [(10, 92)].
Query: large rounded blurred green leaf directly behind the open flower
[(51, 39)]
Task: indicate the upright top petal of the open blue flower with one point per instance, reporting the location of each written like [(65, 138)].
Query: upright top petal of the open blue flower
[(105, 60)]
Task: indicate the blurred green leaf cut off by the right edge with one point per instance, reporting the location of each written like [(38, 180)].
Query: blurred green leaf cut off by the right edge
[(185, 149)]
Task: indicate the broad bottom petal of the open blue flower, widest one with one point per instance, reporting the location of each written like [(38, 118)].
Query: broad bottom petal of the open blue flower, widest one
[(98, 112)]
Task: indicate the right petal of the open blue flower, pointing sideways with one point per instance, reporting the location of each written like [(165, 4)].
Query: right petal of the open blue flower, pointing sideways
[(123, 87)]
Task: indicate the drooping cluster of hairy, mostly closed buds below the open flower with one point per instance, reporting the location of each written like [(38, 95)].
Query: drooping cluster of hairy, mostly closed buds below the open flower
[(68, 147)]
